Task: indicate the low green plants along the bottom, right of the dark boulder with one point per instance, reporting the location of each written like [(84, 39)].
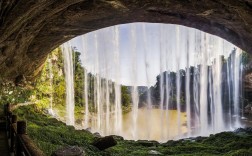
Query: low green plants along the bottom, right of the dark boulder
[(225, 143)]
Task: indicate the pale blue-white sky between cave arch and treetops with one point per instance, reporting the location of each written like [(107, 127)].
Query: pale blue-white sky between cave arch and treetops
[(134, 54)]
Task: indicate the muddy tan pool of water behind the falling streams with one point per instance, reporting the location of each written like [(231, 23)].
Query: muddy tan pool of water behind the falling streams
[(164, 125)]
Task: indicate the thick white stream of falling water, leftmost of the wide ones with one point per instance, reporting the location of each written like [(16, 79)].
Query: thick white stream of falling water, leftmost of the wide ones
[(69, 80)]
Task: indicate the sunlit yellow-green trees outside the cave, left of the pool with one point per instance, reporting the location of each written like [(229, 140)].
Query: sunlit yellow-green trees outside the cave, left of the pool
[(51, 85)]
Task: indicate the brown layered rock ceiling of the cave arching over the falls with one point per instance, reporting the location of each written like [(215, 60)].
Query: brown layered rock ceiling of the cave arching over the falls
[(31, 29)]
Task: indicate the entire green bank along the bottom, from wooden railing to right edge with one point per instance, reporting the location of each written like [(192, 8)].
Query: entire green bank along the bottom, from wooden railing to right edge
[(50, 134)]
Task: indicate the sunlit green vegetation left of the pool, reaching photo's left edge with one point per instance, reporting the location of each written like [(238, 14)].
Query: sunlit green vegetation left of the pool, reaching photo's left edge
[(49, 88)]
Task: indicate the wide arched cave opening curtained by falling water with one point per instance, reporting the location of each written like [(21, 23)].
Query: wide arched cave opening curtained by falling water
[(152, 81)]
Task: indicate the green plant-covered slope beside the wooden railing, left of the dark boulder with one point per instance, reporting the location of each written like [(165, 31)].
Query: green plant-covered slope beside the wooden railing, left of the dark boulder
[(50, 134)]
